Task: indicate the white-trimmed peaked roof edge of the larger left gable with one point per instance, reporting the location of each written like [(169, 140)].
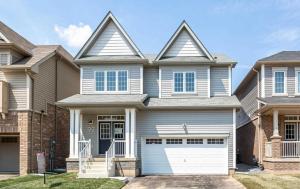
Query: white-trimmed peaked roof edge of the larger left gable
[(109, 20)]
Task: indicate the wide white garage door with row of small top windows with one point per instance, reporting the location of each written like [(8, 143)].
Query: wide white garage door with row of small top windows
[(184, 156)]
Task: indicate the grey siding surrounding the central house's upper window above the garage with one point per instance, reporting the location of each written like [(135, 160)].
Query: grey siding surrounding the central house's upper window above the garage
[(167, 80)]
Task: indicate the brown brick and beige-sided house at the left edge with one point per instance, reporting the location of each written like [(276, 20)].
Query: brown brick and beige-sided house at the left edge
[(32, 78)]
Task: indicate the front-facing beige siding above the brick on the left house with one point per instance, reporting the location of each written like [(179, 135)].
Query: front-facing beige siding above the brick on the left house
[(17, 89)]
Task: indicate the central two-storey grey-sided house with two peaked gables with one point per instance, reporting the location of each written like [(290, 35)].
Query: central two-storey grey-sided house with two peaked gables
[(136, 114)]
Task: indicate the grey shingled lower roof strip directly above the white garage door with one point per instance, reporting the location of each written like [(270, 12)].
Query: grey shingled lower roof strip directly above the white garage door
[(194, 103)]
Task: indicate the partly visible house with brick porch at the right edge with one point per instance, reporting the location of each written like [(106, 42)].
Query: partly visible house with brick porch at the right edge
[(268, 123)]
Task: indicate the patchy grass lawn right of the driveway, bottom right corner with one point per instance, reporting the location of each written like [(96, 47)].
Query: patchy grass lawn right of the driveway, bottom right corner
[(269, 180)]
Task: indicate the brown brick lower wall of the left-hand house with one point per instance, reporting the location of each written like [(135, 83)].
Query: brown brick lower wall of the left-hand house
[(36, 137)]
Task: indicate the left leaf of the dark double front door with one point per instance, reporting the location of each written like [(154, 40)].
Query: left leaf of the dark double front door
[(105, 136)]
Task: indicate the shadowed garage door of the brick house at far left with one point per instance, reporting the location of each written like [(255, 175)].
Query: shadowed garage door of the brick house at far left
[(9, 154)]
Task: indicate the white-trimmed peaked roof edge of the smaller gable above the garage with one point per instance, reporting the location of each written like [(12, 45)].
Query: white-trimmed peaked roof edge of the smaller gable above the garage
[(184, 29)]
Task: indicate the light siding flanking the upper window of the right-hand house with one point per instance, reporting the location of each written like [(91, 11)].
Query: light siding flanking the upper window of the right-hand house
[(269, 80)]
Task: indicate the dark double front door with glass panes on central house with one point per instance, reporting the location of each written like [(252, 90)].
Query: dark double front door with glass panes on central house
[(109, 131)]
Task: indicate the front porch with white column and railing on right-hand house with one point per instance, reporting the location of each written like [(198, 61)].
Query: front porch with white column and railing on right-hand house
[(281, 133)]
